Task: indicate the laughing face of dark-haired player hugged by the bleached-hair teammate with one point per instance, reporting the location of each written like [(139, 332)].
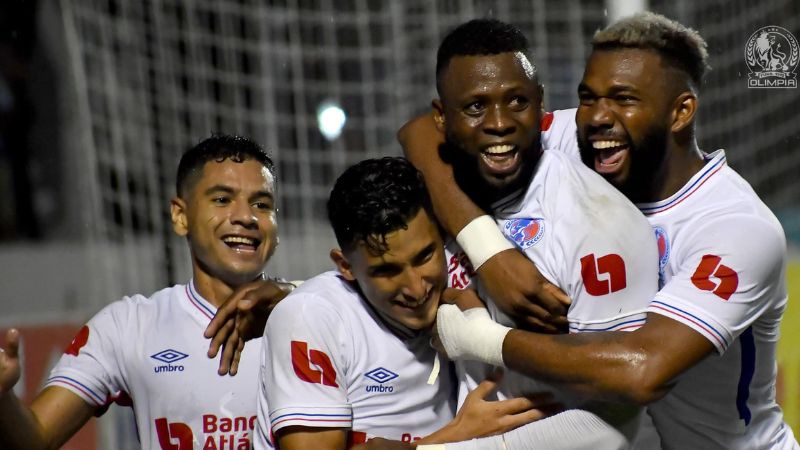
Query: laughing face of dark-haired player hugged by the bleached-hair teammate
[(490, 109)]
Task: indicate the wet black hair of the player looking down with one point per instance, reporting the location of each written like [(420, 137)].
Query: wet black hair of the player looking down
[(373, 198)]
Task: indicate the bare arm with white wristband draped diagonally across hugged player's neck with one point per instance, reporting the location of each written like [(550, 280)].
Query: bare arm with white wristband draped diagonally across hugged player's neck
[(510, 278)]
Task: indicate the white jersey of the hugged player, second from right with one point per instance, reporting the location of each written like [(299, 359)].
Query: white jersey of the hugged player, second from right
[(585, 237)]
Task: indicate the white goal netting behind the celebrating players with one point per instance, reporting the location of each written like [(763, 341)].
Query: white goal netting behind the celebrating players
[(154, 77)]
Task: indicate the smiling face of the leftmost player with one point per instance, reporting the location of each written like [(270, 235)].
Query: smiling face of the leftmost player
[(228, 216)]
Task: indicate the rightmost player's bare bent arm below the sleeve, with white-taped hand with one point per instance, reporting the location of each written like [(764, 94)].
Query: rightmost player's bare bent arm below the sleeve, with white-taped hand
[(632, 367)]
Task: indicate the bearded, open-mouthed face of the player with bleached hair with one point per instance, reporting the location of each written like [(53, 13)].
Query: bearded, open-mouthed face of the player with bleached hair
[(624, 117)]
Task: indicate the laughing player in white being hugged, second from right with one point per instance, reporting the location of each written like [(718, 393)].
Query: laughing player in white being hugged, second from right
[(584, 236)]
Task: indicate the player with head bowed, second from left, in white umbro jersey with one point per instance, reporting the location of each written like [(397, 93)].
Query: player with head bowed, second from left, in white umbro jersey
[(348, 356)]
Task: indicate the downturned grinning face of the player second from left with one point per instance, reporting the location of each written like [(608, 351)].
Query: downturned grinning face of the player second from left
[(405, 282)]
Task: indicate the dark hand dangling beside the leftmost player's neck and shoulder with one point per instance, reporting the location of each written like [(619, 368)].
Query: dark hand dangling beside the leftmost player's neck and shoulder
[(242, 317)]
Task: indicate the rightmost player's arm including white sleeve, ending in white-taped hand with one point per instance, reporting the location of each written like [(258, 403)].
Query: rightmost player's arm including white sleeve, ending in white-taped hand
[(726, 281)]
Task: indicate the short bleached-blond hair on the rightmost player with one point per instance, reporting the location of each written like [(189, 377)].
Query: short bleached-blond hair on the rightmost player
[(680, 46)]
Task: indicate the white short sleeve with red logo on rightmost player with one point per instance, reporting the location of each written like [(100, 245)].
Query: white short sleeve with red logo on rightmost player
[(731, 273)]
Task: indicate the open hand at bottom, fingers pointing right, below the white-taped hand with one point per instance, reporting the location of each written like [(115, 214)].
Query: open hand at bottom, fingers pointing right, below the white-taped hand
[(479, 417)]
